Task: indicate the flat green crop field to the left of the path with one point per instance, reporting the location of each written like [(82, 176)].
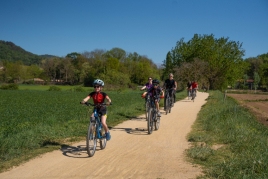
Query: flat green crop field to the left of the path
[(34, 119)]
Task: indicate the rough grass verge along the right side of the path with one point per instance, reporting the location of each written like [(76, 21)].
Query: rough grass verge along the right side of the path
[(228, 141)]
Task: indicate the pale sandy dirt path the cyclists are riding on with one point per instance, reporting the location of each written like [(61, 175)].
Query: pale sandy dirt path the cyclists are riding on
[(131, 153)]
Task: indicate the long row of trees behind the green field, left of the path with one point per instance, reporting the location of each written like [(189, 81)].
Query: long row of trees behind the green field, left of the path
[(115, 67)]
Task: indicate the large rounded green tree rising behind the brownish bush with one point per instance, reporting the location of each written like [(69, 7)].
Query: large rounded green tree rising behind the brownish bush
[(223, 57)]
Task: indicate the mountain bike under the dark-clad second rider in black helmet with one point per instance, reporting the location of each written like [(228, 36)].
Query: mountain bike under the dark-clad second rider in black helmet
[(153, 121)]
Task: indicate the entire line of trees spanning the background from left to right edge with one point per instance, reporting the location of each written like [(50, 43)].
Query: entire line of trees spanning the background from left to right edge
[(214, 62)]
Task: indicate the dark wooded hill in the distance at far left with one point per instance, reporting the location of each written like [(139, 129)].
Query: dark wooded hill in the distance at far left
[(11, 52)]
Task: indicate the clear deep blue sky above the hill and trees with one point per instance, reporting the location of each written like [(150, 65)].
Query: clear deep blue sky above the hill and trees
[(148, 27)]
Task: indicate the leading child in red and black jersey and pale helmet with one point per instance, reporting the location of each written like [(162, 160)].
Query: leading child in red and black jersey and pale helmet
[(98, 98)]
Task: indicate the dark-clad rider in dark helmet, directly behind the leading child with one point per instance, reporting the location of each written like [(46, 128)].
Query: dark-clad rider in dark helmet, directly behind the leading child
[(155, 92)]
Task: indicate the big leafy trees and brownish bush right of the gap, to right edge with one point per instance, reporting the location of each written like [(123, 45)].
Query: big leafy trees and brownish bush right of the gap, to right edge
[(214, 63)]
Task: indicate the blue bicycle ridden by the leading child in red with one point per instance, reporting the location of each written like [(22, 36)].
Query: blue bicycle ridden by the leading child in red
[(95, 131)]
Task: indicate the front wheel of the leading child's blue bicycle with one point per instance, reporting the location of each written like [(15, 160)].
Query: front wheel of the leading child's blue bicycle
[(91, 139)]
